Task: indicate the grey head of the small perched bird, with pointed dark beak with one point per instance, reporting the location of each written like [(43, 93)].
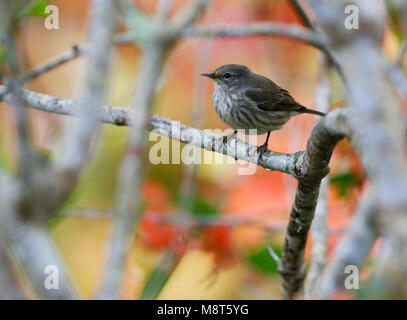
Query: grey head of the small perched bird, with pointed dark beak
[(229, 75)]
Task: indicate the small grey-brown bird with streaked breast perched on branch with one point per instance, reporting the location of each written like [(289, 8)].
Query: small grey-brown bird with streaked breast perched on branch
[(246, 100)]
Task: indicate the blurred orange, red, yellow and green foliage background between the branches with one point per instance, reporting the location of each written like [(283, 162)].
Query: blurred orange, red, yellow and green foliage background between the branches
[(226, 260)]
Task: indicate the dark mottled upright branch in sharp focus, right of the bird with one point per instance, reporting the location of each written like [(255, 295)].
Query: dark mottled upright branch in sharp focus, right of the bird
[(313, 167)]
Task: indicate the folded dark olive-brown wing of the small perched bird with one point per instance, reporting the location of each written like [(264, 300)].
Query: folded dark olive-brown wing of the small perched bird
[(273, 98)]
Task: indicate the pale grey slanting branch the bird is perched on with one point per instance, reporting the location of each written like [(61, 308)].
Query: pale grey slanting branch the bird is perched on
[(234, 148)]
